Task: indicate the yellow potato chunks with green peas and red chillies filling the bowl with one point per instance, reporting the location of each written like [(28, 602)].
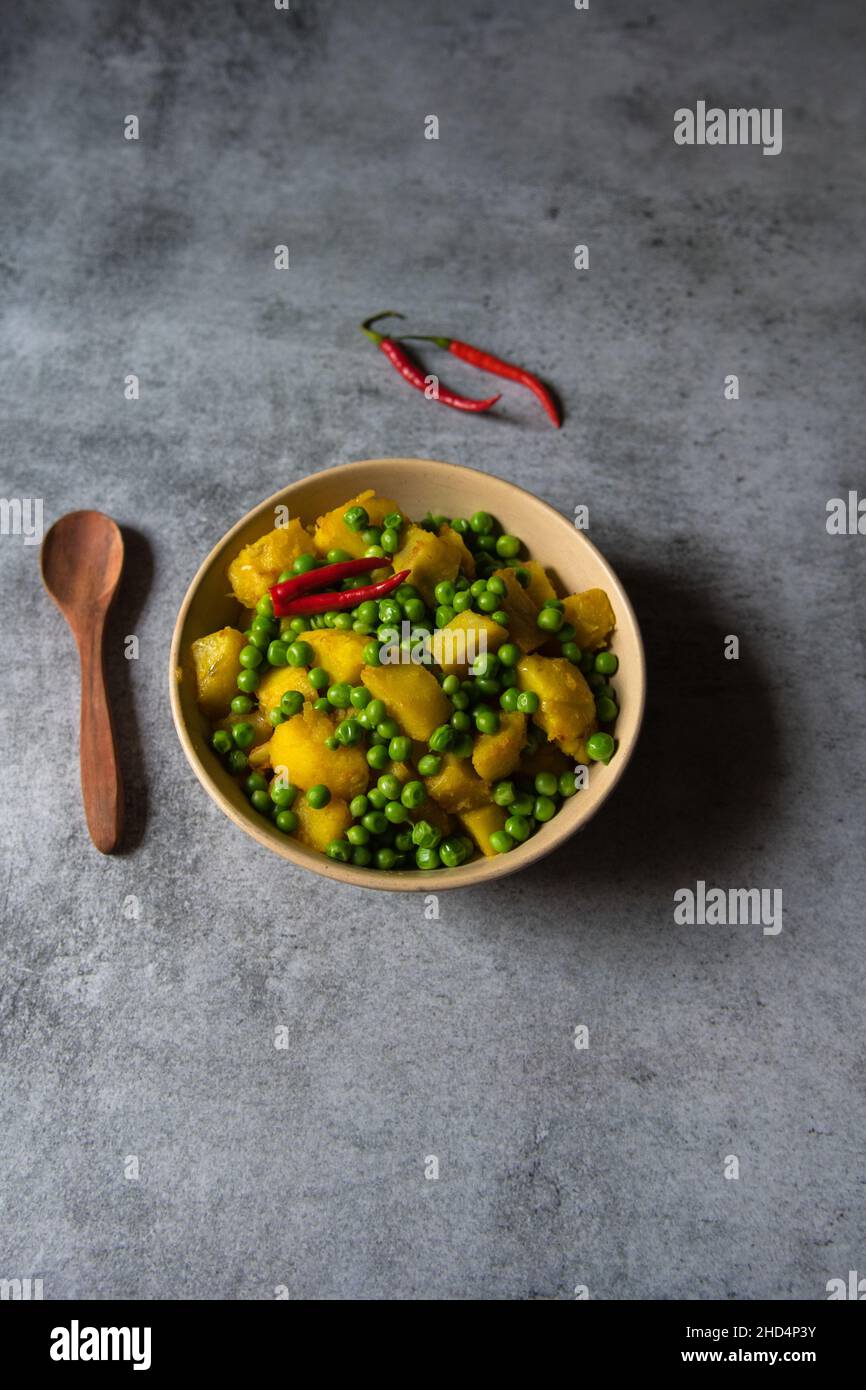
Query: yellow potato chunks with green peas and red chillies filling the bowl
[(407, 694)]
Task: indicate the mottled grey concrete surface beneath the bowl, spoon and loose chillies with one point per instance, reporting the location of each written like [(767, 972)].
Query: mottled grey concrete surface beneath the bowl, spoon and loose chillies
[(155, 1038)]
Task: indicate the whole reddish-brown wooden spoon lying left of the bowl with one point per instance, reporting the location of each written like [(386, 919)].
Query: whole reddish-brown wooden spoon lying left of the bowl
[(83, 557)]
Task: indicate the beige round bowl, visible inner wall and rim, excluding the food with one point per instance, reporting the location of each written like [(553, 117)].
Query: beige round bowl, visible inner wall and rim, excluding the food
[(420, 486)]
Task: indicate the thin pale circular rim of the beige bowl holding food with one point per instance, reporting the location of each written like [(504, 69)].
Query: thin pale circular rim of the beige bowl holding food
[(402, 881)]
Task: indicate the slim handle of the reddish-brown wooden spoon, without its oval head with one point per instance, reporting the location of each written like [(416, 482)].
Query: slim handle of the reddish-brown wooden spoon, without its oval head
[(101, 776)]
